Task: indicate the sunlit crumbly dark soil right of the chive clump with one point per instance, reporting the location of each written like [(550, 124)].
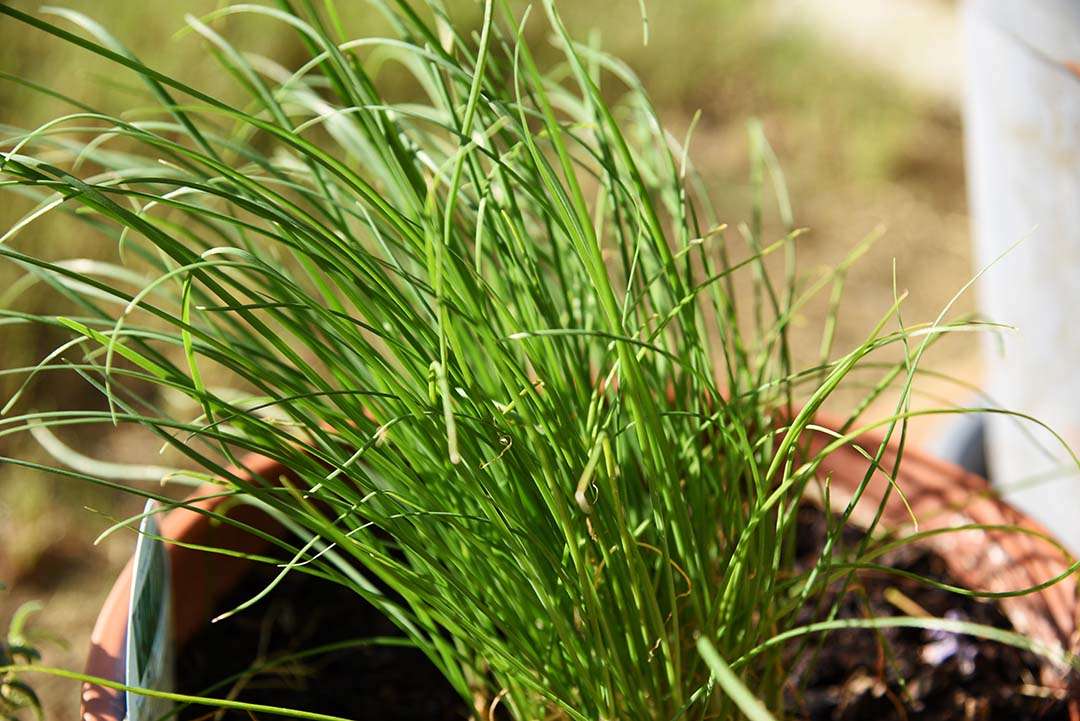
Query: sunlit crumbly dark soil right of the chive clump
[(906, 673)]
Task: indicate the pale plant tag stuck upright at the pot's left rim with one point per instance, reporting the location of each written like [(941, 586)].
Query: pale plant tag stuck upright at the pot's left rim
[(150, 659)]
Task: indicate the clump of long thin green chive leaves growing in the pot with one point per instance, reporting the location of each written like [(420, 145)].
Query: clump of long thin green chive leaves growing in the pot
[(491, 328)]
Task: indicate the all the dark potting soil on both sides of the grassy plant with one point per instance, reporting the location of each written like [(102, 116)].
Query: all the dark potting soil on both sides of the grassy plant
[(855, 675)]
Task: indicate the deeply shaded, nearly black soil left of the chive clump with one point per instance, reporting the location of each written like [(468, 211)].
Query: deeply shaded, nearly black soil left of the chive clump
[(376, 683)]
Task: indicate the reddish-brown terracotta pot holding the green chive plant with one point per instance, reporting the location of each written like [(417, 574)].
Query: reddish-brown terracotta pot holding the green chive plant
[(940, 494)]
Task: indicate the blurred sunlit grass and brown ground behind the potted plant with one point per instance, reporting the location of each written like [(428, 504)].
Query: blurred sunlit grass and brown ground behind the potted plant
[(859, 100)]
